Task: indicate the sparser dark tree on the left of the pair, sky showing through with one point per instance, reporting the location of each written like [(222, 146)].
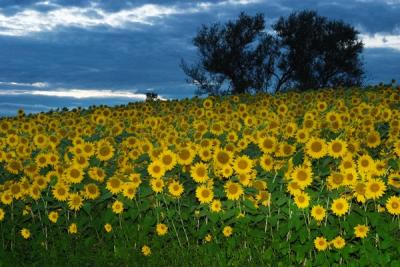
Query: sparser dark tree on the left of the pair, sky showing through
[(237, 57)]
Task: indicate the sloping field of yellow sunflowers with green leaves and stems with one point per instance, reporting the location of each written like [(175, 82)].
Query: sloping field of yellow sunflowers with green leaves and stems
[(308, 179)]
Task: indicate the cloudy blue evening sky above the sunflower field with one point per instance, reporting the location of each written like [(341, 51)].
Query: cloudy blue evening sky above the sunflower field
[(69, 53)]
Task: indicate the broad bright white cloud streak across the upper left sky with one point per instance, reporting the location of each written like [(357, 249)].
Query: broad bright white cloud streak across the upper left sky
[(29, 20)]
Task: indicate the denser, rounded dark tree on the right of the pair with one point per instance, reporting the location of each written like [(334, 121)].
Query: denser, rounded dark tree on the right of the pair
[(317, 52)]
